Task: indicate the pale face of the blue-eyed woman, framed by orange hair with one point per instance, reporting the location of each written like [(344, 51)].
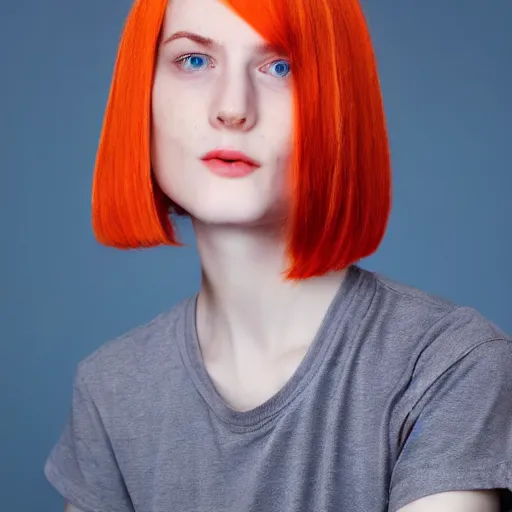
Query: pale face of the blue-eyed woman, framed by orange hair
[(219, 87)]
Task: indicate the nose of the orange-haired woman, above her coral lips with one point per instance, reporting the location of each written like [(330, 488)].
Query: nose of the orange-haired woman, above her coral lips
[(234, 105)]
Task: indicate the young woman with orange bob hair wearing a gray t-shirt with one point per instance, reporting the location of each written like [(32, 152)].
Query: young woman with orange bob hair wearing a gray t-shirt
[(294, 381)]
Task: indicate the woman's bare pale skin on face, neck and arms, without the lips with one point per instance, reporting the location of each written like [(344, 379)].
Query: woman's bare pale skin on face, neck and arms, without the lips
[(230, 92)]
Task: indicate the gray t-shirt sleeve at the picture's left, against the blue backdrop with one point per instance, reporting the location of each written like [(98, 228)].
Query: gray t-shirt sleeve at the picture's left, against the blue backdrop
[(82, 465)]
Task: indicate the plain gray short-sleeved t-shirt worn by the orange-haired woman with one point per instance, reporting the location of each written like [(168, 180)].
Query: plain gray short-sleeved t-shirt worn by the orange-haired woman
[(401, 395)]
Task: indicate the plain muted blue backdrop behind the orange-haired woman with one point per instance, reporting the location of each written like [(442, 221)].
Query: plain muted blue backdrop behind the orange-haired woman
[(446, 72)]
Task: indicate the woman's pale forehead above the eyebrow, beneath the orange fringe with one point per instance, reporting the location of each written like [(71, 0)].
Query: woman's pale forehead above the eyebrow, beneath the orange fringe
[(209, 18)]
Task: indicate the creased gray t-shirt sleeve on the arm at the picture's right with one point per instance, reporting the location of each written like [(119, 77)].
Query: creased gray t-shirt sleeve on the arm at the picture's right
[(460, 437)]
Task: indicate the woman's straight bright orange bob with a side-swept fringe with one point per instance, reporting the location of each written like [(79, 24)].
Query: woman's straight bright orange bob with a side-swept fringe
[(340, 173)]
